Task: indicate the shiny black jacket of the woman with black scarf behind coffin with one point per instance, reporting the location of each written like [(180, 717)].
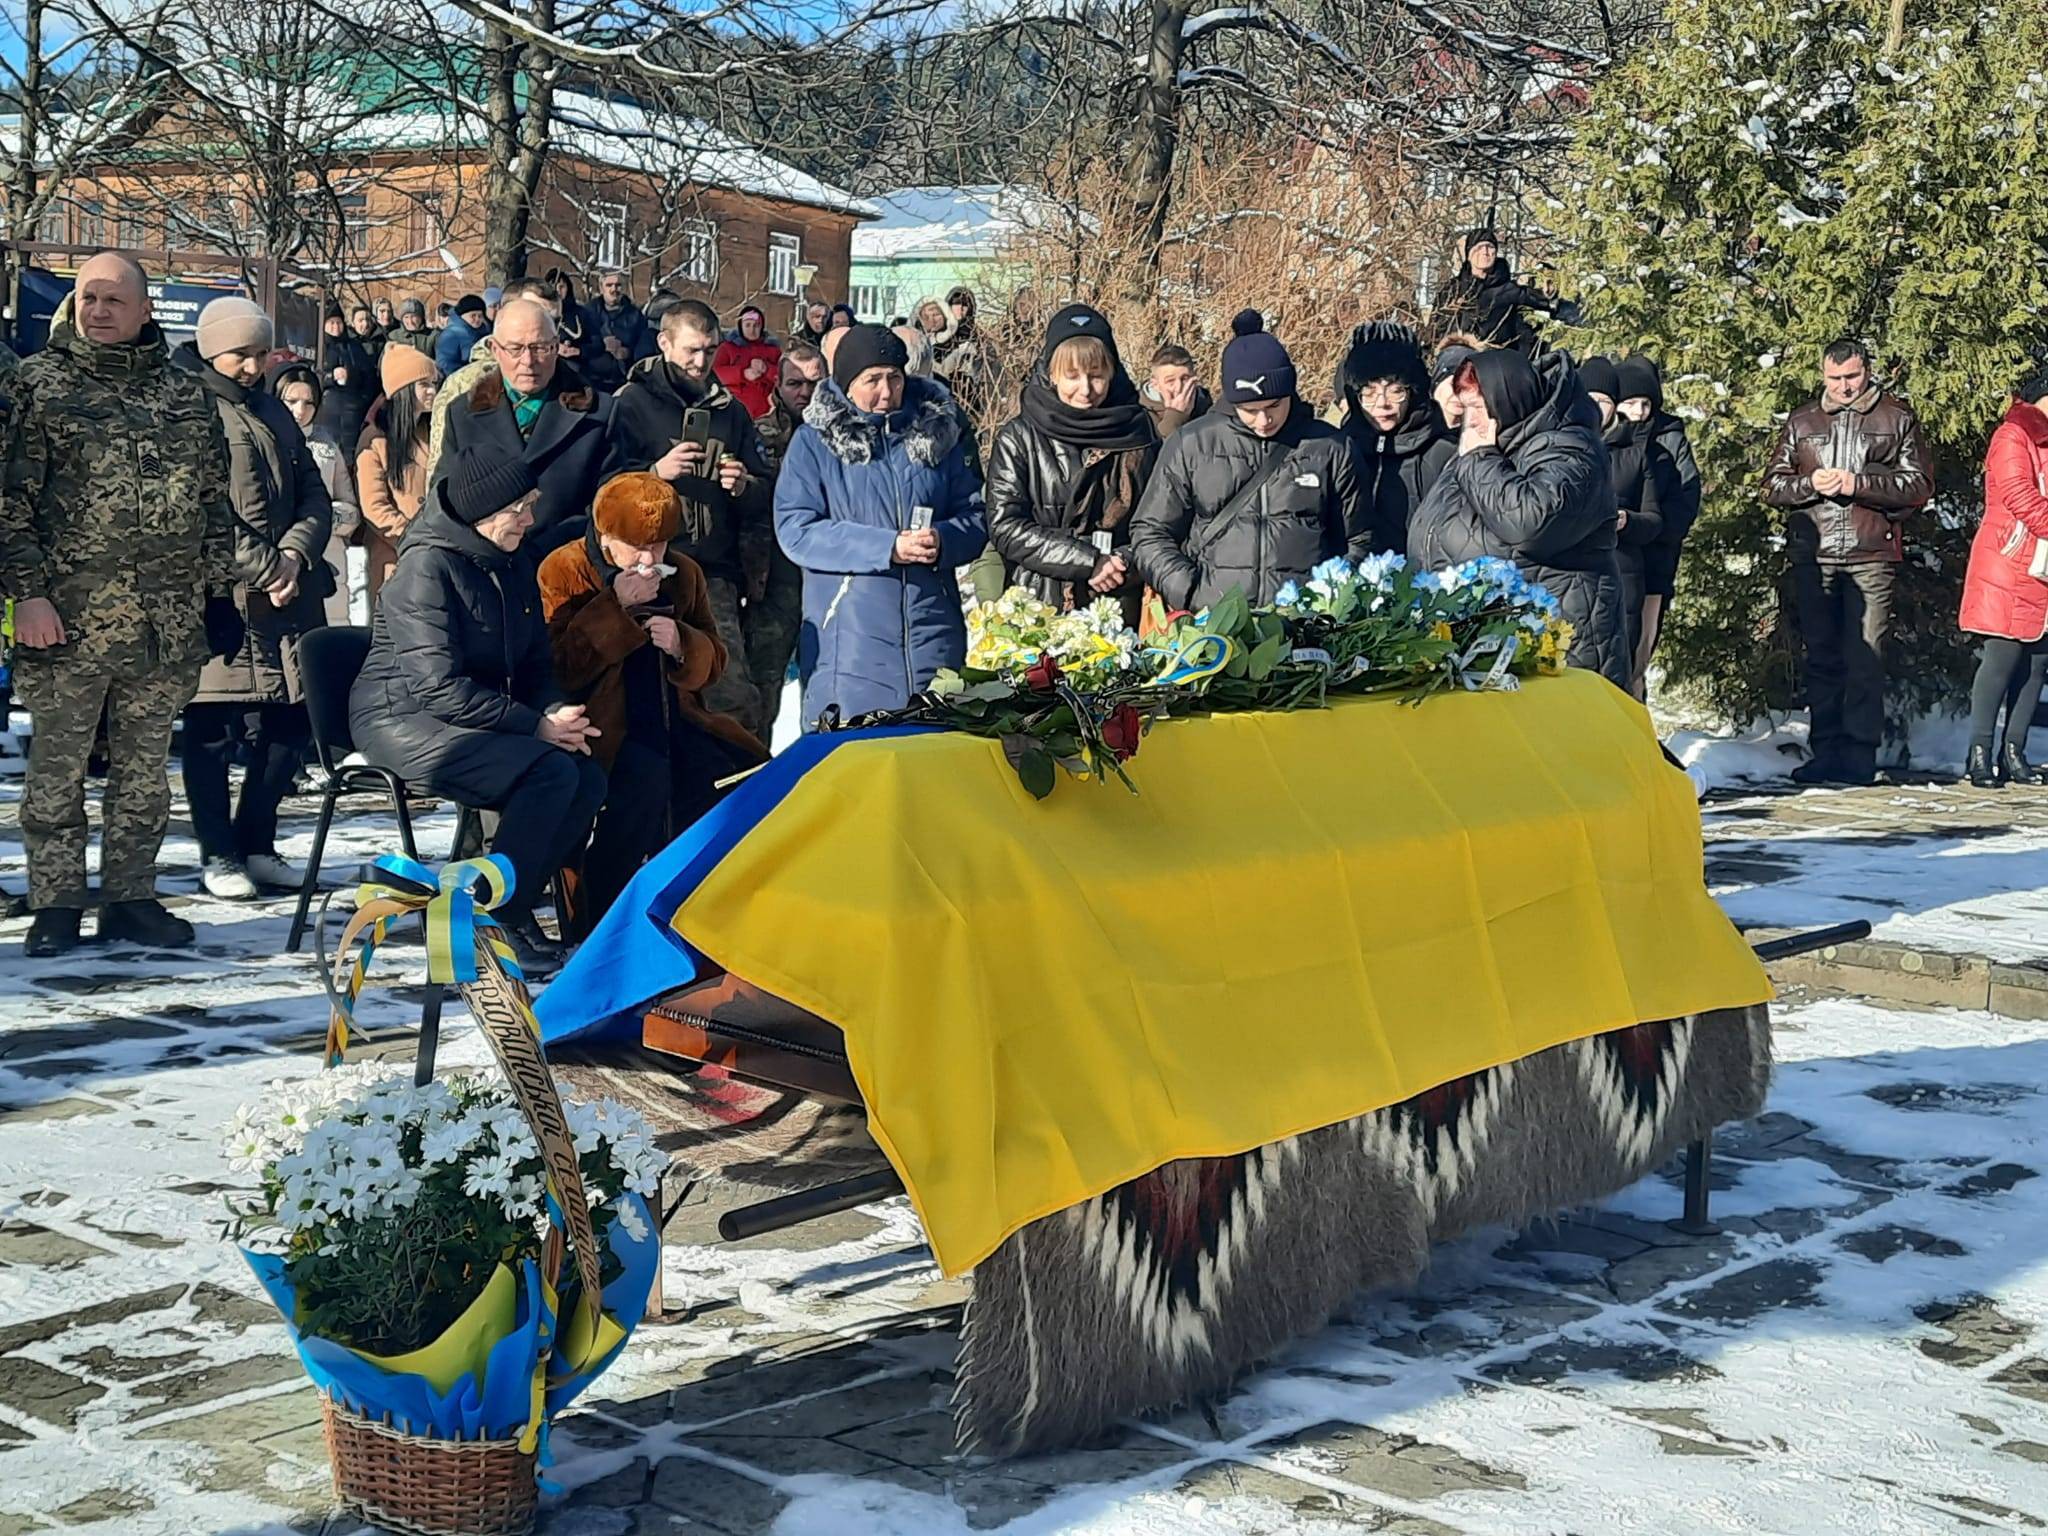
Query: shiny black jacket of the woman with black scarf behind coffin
[(1029, 488)]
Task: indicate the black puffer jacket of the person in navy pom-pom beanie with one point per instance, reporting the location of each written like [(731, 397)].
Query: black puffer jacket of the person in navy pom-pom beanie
[(1312, 509)]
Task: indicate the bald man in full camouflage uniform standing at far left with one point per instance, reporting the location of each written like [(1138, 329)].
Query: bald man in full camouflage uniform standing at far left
[(118, 550)]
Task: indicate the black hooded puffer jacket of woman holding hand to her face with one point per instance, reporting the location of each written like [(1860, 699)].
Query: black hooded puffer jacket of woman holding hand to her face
[(1545, 501)]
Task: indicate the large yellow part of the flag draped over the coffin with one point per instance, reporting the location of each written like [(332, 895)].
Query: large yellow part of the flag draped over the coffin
[(1297, 921)]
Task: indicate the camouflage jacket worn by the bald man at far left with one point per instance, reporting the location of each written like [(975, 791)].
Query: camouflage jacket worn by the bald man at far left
[(114, 501)]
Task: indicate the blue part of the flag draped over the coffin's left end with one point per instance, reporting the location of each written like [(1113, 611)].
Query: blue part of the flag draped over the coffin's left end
[(634, 955)]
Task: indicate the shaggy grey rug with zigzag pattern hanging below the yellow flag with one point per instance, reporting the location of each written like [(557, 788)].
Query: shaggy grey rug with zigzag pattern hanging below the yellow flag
[(1175, 1285)]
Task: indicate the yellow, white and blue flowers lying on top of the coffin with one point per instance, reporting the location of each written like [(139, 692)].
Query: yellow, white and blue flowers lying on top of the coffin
[(1080, 689)]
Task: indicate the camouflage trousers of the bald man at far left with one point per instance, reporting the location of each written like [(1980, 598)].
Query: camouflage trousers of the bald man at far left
[(67, 699)]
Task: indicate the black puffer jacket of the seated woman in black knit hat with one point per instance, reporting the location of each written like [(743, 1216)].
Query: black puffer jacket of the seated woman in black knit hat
[(458, 648)]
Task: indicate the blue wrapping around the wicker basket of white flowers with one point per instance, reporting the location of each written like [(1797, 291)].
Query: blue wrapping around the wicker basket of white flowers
[(497, 1408)]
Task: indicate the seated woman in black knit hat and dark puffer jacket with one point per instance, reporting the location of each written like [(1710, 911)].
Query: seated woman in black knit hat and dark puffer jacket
[(460, 695)]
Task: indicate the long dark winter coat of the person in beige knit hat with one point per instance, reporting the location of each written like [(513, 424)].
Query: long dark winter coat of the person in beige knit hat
[(282, 507)]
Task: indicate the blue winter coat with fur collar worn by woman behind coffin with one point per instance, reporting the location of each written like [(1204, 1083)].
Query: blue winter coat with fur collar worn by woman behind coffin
[(873, 632)]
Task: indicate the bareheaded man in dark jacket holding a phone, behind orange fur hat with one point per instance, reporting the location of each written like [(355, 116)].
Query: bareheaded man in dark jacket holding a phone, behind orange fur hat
[(724, 480)]
